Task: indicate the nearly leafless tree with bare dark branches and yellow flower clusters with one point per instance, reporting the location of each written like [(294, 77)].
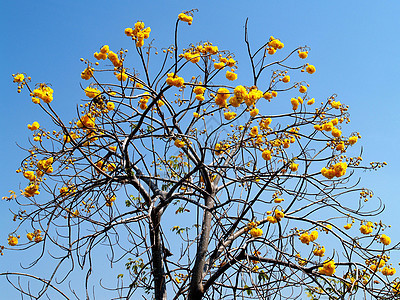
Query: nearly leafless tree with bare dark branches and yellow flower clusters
[(260, 191)]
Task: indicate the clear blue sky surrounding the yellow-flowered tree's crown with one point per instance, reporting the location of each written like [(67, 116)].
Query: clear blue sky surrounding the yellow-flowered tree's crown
[(354, 45)]
